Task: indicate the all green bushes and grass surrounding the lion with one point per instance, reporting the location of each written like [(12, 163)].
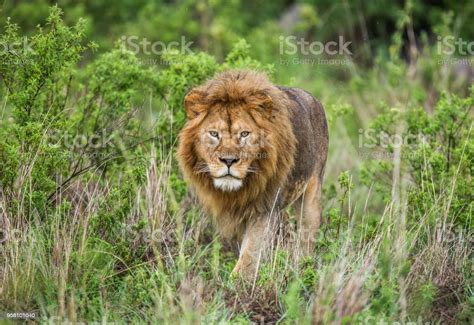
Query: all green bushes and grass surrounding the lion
[(96, 224)]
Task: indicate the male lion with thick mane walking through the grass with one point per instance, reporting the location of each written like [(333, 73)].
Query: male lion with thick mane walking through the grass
[(249, 149)]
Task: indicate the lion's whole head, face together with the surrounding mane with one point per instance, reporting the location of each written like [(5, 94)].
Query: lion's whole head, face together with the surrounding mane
[(237, 144)]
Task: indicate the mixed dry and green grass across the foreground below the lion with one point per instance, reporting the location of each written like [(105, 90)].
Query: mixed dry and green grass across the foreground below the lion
[(61, 269)]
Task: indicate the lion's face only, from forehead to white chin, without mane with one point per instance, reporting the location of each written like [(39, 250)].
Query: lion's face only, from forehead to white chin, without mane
[(228, 144)]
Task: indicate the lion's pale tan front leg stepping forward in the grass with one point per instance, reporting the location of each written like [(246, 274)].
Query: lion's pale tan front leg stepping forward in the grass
[(255, 245)]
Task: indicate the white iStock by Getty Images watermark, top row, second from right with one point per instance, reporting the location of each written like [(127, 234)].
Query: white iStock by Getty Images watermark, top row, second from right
[(311, 51)]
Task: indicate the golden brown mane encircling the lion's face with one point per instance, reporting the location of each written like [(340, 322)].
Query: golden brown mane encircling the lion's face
[(269, 108)]
